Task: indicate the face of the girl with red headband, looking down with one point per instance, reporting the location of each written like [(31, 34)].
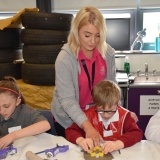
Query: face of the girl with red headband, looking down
[(8, 104)]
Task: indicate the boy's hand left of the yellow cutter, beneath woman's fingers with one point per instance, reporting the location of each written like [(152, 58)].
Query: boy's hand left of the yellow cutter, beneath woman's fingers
[(85, 143)]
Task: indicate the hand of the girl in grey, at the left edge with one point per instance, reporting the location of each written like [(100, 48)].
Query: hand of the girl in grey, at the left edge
[(6, 140)]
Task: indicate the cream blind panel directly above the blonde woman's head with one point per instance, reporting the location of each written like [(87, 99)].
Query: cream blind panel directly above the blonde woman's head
[(66, 5)]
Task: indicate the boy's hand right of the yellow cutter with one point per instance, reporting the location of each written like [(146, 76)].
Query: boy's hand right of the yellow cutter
[(111, 146)]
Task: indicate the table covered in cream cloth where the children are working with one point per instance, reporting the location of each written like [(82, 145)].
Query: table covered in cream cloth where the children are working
[(144, 150)]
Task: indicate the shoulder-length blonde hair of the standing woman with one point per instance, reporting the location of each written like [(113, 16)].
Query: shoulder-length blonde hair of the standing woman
[(88, 15)]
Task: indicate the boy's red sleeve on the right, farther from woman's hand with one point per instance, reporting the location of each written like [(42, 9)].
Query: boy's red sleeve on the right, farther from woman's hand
[(131, 132)]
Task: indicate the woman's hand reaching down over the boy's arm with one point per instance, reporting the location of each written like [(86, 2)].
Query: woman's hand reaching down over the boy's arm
[(92, 133)]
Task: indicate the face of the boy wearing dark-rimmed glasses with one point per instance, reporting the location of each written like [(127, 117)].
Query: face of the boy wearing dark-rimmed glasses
[(107, 113)]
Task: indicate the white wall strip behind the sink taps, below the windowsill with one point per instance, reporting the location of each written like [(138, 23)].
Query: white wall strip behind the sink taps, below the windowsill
[(137, 61)]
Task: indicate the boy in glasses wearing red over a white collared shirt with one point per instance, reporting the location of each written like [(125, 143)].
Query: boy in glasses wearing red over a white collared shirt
[(114, 123)]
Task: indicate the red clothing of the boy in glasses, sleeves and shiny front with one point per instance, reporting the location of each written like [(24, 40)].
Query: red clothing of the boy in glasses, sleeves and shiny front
[(127, 129)]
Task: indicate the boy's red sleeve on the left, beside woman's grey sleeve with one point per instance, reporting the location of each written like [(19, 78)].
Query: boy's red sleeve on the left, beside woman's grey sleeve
[(73, 132)]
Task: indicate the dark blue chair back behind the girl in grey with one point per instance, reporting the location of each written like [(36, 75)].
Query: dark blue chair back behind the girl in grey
[(47, 114)]
